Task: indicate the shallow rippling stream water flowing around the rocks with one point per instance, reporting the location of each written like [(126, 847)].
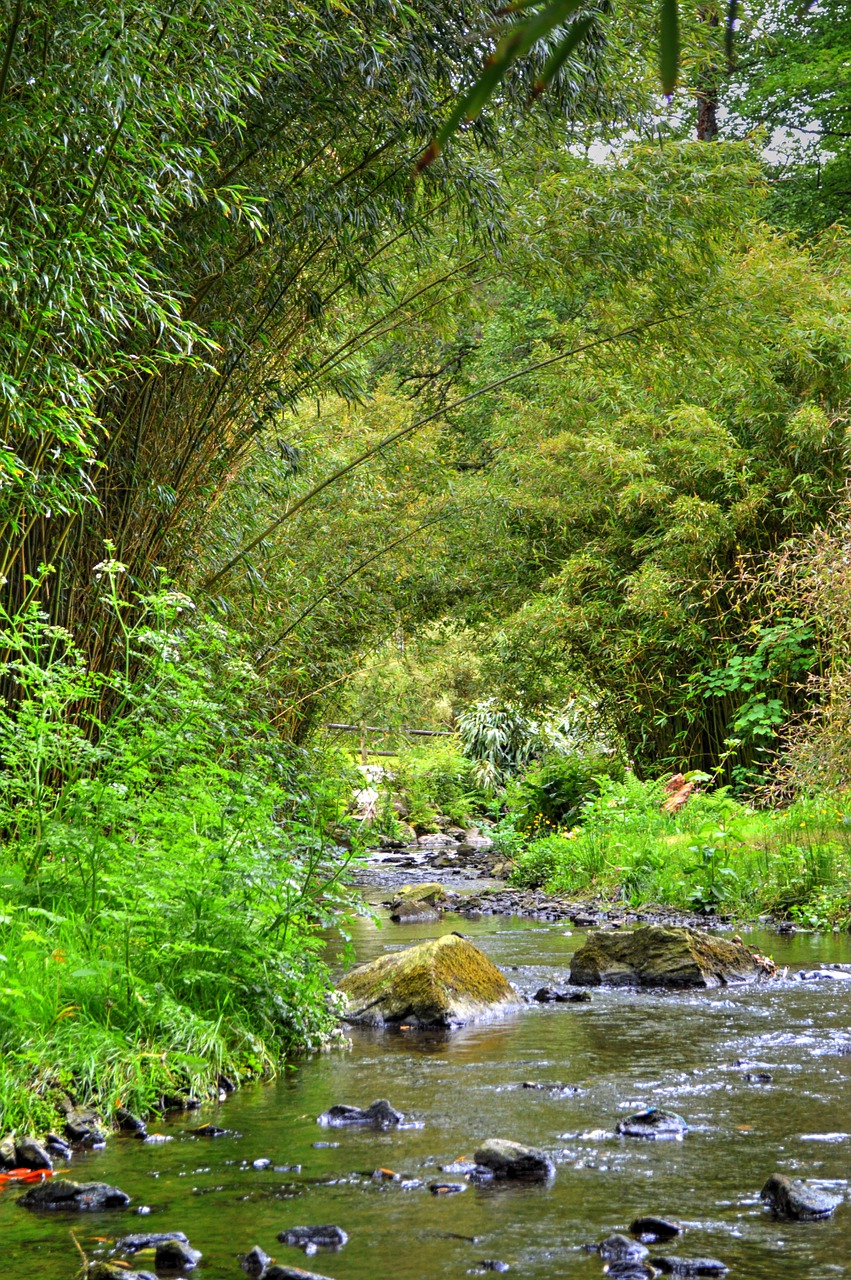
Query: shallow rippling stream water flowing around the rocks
[(623, 1050)]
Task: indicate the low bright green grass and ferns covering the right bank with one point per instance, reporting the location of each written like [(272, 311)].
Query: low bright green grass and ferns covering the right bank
[(716, 856)]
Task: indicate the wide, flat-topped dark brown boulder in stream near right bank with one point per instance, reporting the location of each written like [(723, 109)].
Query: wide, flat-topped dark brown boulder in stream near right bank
[(658, 957)]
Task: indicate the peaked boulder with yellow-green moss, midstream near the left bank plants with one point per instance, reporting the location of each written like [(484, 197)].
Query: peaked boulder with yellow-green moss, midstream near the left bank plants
[(441, 984)]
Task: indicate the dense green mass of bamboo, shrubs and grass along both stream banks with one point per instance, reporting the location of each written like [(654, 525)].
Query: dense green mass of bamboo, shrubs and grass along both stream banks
[(543, 442)]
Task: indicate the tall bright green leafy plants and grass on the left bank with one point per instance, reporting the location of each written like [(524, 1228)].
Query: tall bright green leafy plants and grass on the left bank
[(163, 874)]
